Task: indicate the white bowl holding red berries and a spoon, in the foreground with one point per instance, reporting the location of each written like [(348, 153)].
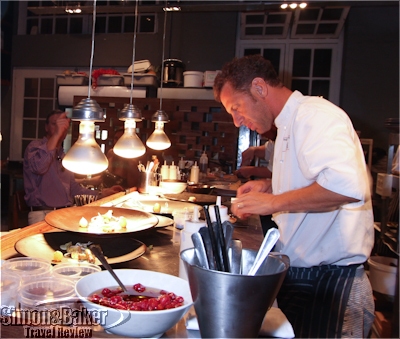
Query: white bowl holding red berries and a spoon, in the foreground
[(141, 324)]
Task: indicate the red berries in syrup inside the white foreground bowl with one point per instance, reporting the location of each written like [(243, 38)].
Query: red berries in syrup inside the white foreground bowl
[(152, 299)]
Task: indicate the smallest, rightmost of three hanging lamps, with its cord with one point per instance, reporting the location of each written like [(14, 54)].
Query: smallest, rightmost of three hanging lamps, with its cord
[(159, 140)]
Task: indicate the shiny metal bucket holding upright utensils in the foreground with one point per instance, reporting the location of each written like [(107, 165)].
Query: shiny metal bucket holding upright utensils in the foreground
[(234, 305)]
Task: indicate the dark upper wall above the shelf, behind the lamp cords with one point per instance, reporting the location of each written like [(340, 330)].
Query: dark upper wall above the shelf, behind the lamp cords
[(198, 39)]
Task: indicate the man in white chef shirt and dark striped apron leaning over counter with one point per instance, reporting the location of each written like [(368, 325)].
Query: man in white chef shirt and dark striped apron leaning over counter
[(319, 196)]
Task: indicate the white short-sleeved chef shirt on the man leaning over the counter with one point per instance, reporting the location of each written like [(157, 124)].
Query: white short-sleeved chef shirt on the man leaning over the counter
[(316, 142)]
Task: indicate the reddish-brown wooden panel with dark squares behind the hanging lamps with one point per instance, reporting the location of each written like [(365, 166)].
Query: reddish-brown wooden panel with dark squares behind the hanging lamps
[(194, 125)]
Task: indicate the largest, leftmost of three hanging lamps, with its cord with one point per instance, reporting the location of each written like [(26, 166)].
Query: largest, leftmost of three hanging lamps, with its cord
[(85, 156)]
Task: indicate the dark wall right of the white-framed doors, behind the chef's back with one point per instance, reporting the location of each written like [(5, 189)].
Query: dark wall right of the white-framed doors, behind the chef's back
[(370, 79)]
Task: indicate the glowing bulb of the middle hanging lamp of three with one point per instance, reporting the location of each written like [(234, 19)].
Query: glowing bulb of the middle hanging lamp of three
[(129, 145)]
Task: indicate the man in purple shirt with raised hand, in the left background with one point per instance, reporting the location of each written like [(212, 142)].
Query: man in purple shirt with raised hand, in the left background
[(48, 185)]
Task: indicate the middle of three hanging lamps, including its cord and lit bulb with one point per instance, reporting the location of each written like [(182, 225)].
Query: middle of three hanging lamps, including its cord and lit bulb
[(130, 145)]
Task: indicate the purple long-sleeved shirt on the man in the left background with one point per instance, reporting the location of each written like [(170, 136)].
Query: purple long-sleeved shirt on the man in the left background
[(46, 181)]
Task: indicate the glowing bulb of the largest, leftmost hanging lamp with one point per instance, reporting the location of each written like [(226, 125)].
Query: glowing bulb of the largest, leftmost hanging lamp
[(85, 156)]
